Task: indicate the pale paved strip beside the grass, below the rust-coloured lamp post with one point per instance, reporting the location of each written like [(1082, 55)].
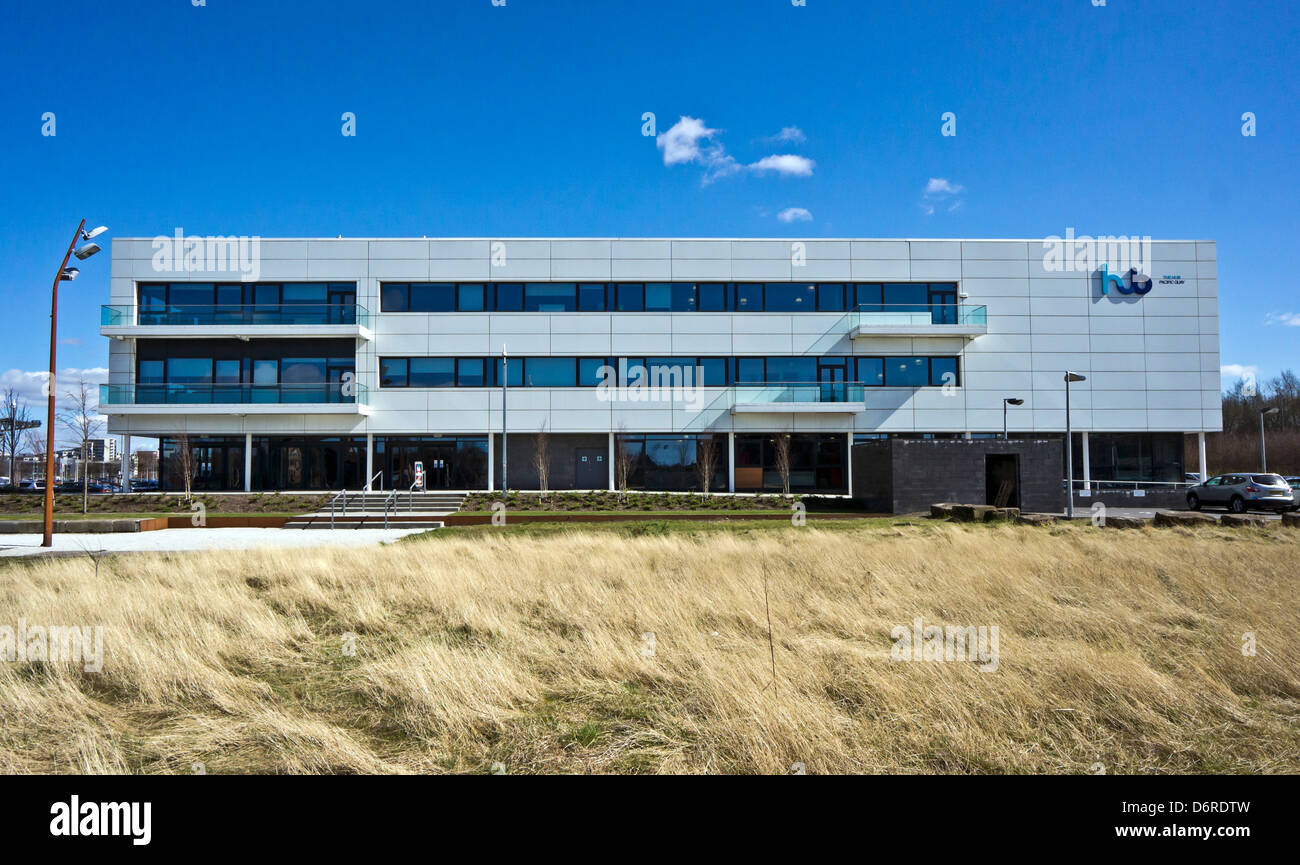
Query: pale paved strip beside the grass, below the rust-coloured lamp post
[(198, 539)]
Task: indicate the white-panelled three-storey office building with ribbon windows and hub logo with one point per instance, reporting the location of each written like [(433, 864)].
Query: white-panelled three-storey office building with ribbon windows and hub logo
[(644, 364)]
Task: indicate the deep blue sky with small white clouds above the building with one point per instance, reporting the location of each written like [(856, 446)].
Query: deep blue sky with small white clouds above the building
[(526, 119)]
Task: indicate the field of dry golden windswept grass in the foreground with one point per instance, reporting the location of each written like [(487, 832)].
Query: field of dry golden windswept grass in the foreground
[(1121, 648)]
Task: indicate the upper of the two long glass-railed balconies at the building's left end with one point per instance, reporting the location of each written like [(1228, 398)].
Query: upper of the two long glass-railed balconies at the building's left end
[(240, 321)]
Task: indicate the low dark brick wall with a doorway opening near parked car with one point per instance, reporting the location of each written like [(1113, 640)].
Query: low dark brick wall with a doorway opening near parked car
[(904, 475)]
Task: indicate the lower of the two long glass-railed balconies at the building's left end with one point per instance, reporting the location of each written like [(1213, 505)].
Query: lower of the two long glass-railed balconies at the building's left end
[(323, 399)]
